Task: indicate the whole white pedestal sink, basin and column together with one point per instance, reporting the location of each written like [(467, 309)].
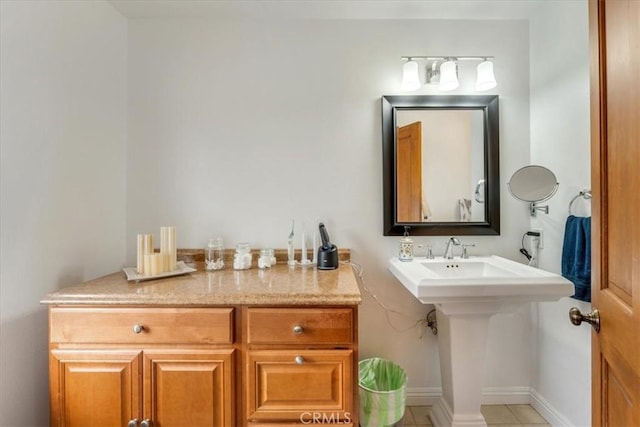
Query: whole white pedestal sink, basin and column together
[(466, 293)]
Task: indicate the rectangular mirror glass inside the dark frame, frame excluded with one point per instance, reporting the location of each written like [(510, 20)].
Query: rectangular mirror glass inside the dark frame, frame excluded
[(451, 157)]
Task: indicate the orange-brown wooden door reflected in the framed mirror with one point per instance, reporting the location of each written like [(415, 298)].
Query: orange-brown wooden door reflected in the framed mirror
[(409, 167)]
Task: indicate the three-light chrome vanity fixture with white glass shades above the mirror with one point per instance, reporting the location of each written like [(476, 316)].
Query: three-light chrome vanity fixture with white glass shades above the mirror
[(443, 72)]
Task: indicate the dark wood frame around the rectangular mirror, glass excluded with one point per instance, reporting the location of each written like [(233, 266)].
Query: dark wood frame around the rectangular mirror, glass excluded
[(489, 105)]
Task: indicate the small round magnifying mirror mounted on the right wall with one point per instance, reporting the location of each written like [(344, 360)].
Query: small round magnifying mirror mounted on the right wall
[(533, 184)]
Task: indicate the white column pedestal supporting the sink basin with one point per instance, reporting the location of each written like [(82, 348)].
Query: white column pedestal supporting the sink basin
[(462, 341)]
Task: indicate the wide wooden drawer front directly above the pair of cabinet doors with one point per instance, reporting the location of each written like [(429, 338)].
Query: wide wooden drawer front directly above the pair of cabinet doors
[(141, 325)]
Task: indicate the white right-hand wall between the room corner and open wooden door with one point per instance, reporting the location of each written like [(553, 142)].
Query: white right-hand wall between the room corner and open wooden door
[(560, 140)]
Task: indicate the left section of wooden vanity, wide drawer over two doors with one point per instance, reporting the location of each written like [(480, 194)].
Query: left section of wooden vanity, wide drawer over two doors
[(142, 366)]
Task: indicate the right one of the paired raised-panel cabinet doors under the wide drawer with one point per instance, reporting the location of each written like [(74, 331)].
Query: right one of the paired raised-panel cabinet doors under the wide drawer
[(189, 387)]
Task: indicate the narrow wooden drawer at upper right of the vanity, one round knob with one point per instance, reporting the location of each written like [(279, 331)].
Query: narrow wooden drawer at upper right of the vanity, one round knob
[(300, 325)]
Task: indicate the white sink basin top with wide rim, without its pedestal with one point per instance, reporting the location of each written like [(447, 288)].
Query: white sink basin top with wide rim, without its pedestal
[(478, 279)]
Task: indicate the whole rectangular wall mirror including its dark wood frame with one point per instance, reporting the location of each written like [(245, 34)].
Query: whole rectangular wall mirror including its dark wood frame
[(441, 164)]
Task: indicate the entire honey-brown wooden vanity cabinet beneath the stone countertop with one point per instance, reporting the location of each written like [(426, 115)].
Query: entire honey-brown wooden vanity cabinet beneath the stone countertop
[(209, 366)]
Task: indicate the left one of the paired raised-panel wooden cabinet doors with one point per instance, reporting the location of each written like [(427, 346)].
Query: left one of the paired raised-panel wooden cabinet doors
[(94, 387)]
